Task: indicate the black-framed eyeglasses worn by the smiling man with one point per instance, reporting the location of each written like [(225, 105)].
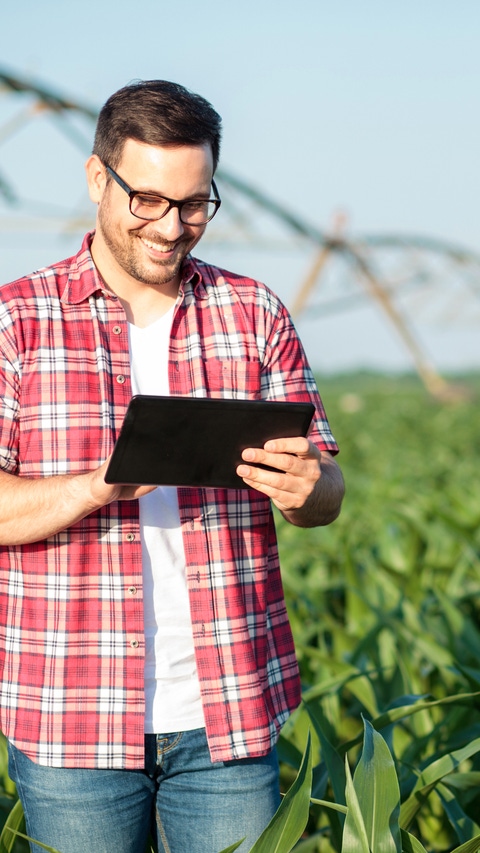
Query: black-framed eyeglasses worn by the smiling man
[(150, 206)]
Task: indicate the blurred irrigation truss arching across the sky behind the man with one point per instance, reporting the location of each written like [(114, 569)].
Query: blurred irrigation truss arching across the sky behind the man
[(403, 275)]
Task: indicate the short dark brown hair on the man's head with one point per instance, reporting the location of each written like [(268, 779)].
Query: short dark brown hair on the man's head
[(156, 112)]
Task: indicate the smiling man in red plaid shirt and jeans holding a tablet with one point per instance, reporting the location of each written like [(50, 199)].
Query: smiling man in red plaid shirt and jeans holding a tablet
[(147, 663)]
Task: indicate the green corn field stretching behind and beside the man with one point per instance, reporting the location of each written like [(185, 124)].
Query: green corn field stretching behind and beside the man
[(383, 755)]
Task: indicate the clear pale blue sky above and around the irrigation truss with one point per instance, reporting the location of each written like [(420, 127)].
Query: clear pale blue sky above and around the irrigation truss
[(368, 107)]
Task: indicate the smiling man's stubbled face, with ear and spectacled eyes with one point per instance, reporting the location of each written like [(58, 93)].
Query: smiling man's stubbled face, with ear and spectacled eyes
[(146, 252)]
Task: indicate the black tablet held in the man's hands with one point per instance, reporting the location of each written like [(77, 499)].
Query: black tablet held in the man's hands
[(197, 441)]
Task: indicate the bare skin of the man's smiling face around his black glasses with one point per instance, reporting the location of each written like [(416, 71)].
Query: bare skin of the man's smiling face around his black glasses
[(152, 252)]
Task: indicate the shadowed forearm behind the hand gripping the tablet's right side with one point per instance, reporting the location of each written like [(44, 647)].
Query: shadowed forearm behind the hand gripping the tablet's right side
[(324, 503)]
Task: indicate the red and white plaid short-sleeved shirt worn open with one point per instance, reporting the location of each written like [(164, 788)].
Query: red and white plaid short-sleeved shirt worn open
[(71, 612)]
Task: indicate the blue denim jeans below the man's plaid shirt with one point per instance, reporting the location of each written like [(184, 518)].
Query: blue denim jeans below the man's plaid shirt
[(186, 802)]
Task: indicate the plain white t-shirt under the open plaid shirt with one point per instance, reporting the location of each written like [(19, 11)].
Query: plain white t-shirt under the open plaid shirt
[(172, 691)]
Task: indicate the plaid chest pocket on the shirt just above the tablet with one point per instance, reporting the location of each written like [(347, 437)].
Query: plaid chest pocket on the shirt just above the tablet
[(235, 378)]
